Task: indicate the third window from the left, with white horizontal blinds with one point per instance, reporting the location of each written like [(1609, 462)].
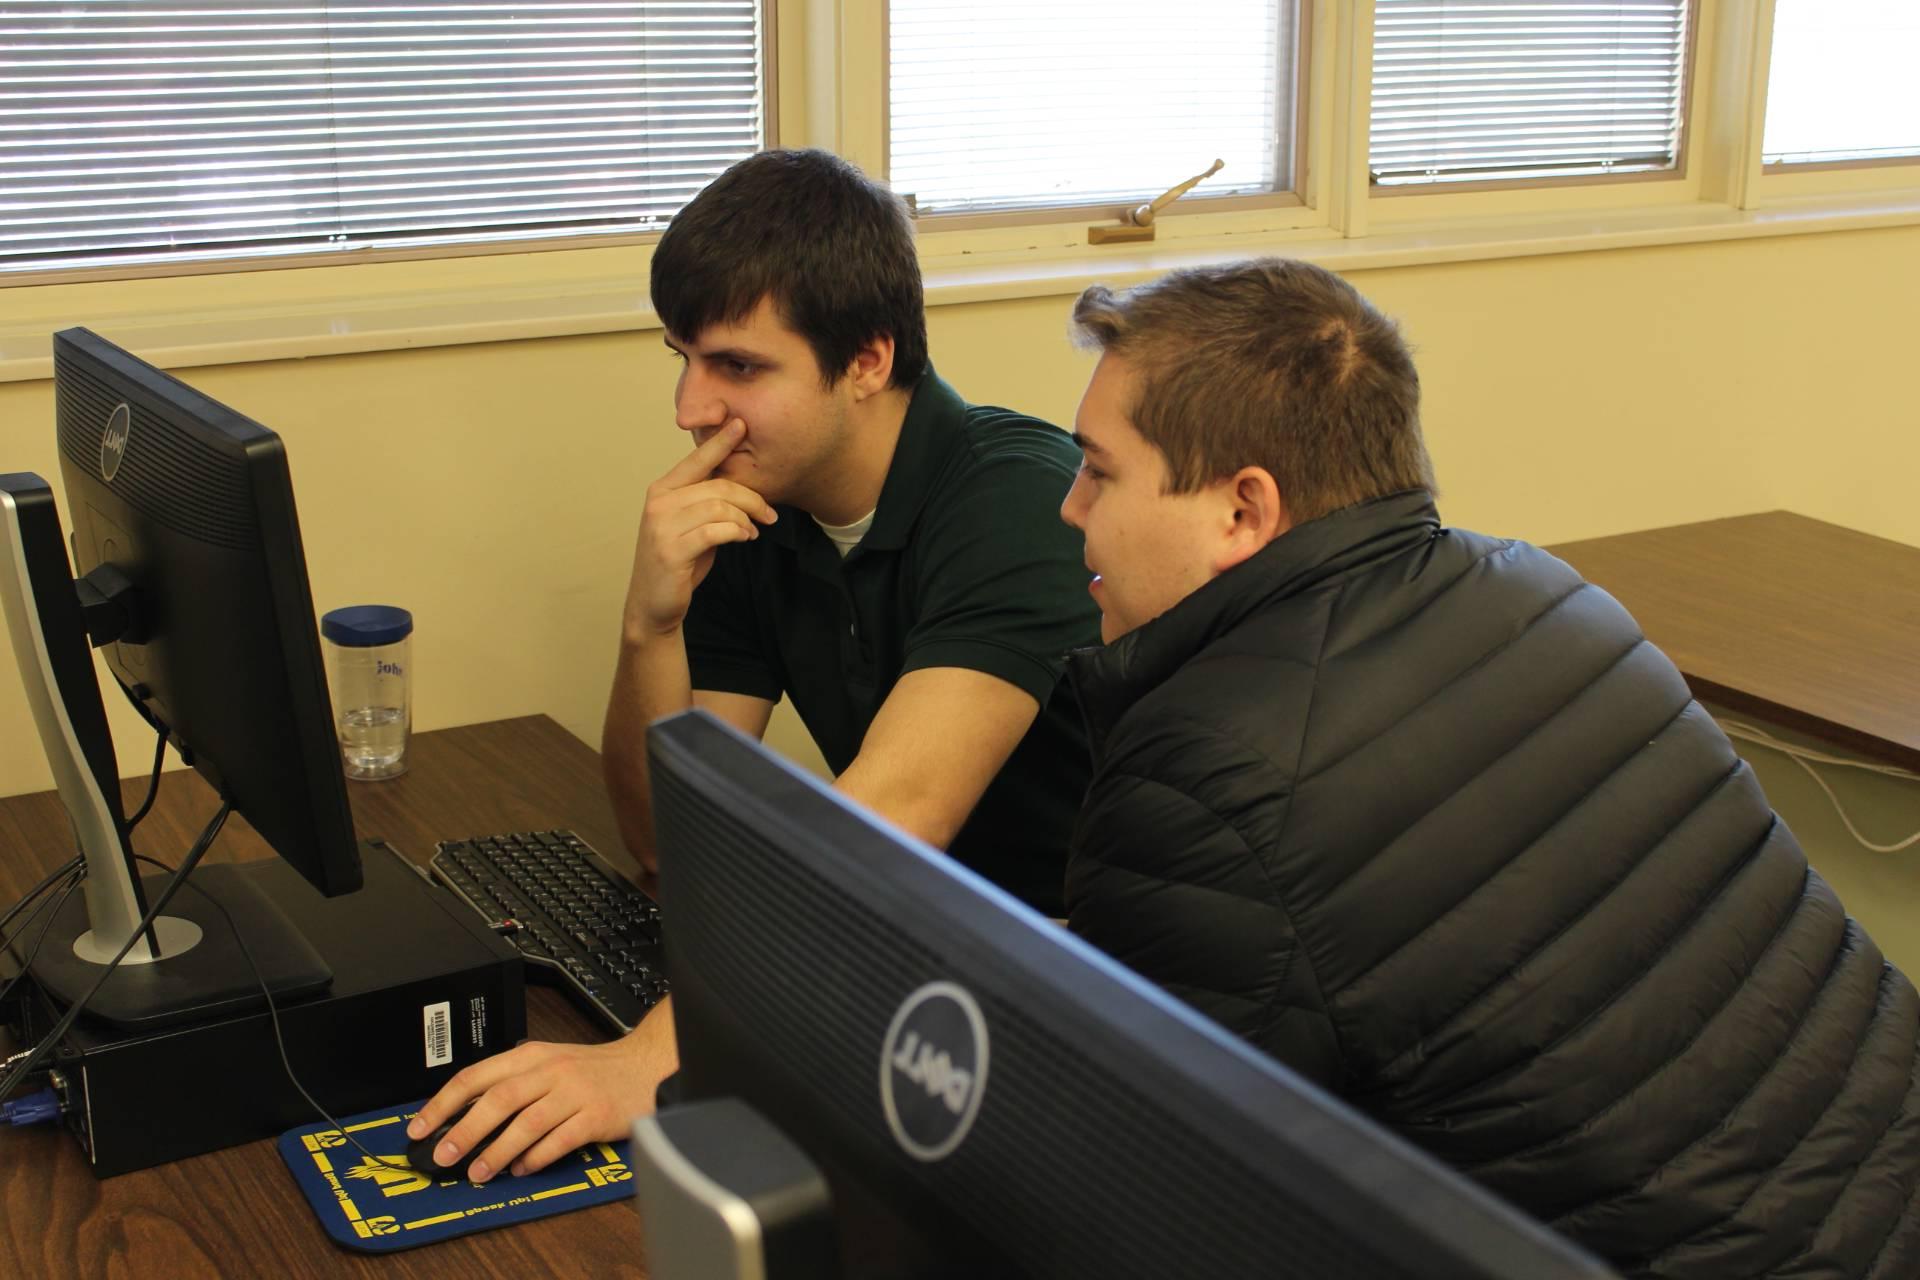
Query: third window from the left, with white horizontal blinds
[(1525, 89)]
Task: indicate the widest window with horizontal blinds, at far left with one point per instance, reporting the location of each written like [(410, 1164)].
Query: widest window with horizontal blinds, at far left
[(137, 131)]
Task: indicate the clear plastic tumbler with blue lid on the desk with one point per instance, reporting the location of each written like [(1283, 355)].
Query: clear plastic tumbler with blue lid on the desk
[(368, 667)]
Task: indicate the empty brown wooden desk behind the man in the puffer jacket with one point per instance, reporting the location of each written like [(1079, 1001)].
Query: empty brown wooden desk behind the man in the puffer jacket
[(1796, 621)]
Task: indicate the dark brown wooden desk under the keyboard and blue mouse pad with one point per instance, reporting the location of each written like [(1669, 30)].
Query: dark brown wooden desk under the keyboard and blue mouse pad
[(237, 1212)]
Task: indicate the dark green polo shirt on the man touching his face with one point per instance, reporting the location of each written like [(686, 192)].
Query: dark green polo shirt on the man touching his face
[(967, 565)]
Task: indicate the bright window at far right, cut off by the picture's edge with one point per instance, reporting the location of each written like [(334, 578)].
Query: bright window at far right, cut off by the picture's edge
[(1842, 82)]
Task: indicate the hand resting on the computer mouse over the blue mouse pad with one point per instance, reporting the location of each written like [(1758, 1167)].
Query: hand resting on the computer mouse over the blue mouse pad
[(562, 1097)]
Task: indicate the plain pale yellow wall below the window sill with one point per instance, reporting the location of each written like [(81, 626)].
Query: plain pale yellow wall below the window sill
[(494, 488)]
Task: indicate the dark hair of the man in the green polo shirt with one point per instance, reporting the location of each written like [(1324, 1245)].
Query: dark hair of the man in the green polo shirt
[(832, 250)]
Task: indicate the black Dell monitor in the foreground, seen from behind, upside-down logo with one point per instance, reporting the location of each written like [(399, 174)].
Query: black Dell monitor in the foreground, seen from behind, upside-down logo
[(992, 1097)]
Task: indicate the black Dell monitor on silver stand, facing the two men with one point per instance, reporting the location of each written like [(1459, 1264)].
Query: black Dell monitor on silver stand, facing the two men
[(195, 584)]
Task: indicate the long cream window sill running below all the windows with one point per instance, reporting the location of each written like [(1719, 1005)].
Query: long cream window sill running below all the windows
[(276, 321)]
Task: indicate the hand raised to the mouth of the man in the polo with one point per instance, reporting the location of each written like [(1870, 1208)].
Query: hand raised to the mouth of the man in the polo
[(688, 515)]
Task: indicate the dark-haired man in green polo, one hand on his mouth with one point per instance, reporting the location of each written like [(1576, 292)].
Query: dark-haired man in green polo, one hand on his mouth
[(846, 533)]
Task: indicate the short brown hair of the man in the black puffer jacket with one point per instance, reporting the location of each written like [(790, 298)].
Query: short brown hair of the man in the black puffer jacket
[(1270, 364)]
